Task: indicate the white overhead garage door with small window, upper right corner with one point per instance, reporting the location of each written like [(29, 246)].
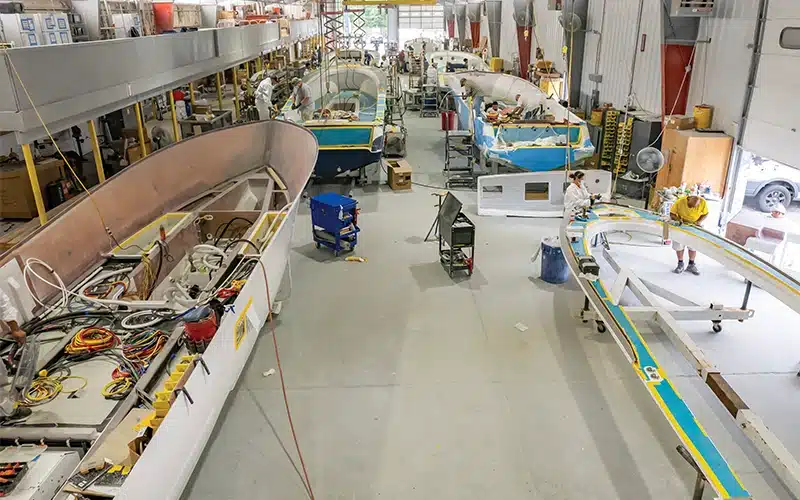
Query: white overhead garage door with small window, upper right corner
[(773, 124)]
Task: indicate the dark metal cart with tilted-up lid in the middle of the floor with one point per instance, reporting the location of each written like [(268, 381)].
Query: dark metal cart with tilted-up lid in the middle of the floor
[(456, 237)]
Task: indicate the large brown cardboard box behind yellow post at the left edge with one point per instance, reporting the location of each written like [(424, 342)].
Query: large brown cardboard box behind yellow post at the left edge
[(16, 195)]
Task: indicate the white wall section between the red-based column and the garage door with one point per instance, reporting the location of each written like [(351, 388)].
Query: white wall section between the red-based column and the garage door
[(722, 66)]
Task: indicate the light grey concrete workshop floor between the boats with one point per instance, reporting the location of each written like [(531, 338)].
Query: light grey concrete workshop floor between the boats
[(406, 384)]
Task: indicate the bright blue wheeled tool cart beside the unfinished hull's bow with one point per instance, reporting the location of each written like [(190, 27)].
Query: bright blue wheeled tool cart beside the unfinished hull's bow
[(334, 220)]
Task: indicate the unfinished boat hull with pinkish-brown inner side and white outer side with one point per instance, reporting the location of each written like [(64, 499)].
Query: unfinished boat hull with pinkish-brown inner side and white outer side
[(196, 179)]
